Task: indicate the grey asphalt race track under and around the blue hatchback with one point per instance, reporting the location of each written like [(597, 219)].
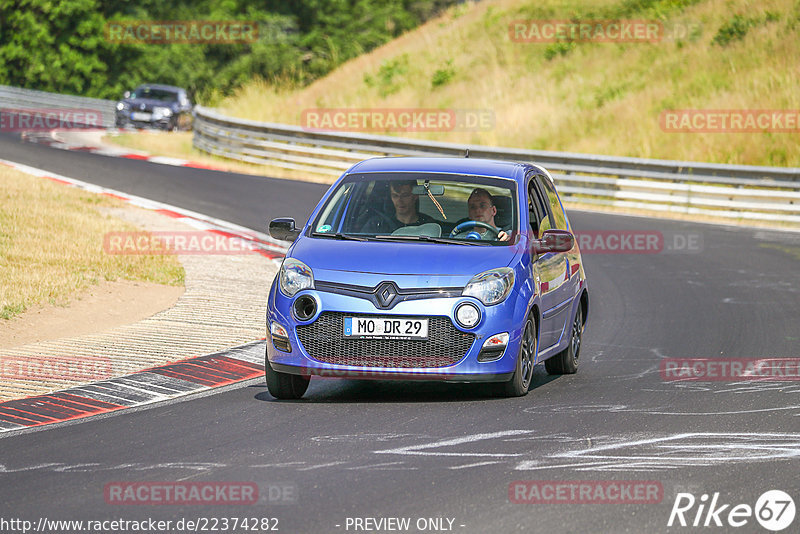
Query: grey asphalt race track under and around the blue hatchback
[(422, 451)]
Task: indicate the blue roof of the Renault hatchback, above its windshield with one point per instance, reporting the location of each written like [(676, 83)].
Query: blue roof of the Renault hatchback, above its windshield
[(474, 166)]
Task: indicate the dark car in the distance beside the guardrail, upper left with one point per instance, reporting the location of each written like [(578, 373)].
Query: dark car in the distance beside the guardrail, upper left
[(155, 106)]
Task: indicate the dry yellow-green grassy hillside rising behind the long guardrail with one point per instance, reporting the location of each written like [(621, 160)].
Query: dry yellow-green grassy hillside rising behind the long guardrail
[(594, 97)]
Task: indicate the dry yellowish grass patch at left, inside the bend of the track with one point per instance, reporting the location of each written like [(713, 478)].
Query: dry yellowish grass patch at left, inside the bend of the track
[(51, 245)]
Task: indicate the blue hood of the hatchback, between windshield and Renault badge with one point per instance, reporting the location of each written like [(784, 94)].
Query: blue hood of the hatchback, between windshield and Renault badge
[(392, 258)]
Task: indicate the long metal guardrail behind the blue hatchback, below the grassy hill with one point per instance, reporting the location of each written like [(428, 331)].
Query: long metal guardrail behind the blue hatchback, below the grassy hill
[(732, 191)]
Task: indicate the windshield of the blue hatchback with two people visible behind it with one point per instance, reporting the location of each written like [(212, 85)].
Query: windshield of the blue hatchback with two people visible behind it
[(407, 207)]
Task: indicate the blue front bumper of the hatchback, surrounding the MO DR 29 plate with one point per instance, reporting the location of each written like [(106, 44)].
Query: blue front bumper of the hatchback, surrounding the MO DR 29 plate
[(451, 353)]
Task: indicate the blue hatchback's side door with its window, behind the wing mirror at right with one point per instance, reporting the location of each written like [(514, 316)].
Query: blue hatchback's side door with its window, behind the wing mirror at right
[(551, 269)]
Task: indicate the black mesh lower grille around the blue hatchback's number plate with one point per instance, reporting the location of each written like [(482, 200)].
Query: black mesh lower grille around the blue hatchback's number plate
[(324, 341)]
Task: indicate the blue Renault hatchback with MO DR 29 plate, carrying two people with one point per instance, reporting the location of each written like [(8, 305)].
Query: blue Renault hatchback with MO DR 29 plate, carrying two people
[(451, 269)]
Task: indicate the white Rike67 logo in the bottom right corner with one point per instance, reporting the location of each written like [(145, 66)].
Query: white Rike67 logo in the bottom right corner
[(774, 510)]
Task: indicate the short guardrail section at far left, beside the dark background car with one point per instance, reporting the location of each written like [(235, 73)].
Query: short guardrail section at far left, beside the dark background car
[(14, 99)]
